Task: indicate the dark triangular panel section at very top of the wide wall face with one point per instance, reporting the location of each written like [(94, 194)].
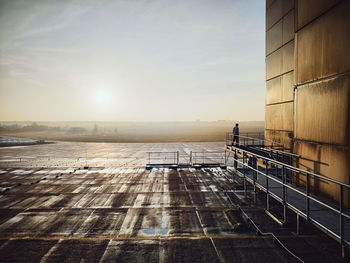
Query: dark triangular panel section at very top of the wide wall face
[(309, 10)]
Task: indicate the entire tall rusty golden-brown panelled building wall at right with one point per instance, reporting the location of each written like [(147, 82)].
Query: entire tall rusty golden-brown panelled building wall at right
[(308, 85)]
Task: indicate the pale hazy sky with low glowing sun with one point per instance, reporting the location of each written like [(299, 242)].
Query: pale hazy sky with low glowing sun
[(132, 60)]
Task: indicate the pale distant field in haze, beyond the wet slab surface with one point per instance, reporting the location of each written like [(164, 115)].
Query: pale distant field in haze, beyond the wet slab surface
[(161, 132)]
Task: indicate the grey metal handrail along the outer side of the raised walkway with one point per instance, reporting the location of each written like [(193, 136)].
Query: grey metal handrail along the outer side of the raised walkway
[(342, 214)]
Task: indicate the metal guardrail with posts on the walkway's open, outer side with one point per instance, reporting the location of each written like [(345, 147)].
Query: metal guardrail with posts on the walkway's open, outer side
[(286, 178)]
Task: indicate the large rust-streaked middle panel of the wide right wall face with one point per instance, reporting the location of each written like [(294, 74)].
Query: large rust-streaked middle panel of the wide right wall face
[(322, 111)]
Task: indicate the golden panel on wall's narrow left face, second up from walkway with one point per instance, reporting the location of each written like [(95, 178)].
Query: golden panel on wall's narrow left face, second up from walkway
[(279, 116)]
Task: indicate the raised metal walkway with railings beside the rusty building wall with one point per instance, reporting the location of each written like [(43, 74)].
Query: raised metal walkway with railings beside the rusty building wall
[(271, 170)]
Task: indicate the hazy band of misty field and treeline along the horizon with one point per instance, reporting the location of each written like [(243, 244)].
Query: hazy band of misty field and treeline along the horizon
[(198, 131)]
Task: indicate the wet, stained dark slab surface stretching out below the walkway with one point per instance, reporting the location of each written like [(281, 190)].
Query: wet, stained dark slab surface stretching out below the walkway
[(59, 212)]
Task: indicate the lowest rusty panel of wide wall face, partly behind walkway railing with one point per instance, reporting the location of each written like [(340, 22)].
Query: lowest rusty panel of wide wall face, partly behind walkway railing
[(327, 160)]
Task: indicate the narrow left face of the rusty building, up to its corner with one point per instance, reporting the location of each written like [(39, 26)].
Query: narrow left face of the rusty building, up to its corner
[(280, 24)]
